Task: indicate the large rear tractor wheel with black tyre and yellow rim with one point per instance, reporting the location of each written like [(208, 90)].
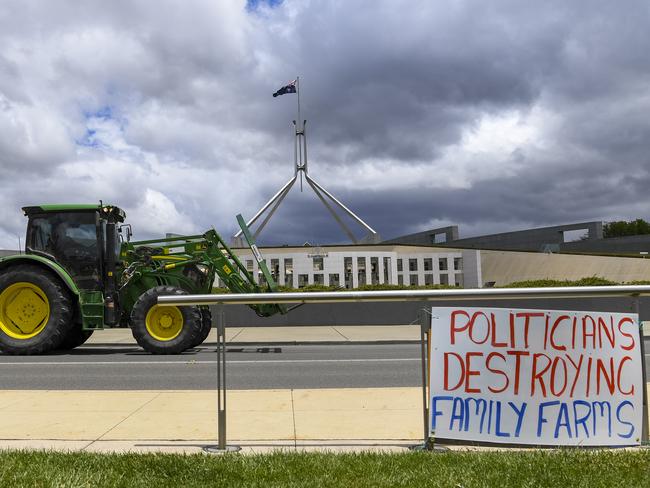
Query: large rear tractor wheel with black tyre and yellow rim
[(36, 310)]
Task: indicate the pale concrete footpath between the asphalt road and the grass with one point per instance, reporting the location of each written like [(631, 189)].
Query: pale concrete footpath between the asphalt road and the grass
[(187, 420)]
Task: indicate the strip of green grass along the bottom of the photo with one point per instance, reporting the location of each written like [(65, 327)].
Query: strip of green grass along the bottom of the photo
[(566, 468)]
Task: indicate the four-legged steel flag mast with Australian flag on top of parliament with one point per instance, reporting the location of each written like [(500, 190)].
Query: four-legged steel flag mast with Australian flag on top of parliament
[(331, 203)]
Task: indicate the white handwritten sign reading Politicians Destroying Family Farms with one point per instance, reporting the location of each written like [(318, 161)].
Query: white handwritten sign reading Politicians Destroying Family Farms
[(535, 377)]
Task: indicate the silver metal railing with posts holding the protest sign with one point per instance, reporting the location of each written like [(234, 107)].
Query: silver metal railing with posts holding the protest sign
[(634, 291)]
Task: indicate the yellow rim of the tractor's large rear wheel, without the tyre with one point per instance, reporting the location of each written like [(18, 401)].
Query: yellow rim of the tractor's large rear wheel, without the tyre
[(24, 310)]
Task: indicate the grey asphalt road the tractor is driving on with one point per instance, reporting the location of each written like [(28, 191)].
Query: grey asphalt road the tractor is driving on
[(250, 367)]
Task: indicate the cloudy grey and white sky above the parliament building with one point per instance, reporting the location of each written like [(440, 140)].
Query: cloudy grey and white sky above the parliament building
[(490, 115)]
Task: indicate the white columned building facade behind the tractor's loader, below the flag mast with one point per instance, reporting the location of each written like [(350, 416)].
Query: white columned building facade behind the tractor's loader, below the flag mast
[(354, 266)]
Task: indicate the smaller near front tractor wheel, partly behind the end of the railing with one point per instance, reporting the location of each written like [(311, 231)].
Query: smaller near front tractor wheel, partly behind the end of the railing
[(165, 329)]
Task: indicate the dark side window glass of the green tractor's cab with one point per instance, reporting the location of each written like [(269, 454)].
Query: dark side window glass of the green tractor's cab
[(71, 239)]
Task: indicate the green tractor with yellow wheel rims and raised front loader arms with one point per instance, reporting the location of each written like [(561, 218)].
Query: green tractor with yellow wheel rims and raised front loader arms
[(81, 273)]
